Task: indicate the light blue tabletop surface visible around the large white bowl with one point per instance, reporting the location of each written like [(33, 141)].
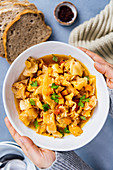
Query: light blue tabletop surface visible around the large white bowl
[(99, 152)]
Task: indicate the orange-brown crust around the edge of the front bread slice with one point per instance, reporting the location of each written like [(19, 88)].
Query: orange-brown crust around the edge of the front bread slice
[(18, 17)]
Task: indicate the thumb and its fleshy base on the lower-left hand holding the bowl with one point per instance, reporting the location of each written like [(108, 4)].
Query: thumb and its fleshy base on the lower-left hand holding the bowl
[(42, 158)]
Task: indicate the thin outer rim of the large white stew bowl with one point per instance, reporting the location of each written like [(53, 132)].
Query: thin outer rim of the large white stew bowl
[(7, 112)]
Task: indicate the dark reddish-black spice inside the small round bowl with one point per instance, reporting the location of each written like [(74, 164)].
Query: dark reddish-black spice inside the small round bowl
[(65, 13)]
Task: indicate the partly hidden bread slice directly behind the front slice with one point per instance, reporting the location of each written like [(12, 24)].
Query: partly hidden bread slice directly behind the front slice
[(7, 15)]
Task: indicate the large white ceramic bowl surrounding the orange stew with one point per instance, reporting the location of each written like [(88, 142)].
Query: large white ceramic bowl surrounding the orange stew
[(93, 126)]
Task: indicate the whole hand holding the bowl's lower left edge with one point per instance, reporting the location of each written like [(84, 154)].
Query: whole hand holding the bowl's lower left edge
[(42, 158)]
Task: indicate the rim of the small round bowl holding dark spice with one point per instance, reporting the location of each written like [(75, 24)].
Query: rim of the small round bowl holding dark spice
[(61, 22)]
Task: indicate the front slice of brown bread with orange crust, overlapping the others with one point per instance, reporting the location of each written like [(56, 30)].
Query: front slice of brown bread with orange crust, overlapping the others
[(26, 30)]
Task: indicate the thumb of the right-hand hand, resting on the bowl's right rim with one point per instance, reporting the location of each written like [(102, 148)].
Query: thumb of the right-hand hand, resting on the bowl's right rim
[(104, 69)]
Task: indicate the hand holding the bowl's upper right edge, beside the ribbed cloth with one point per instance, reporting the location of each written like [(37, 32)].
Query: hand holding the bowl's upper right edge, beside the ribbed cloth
[(102, 66)]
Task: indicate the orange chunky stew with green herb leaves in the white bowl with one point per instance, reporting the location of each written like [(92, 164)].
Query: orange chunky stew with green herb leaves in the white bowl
[(55, 95)]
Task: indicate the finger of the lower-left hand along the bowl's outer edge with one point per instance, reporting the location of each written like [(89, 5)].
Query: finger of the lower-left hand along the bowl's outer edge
[(15, 135)]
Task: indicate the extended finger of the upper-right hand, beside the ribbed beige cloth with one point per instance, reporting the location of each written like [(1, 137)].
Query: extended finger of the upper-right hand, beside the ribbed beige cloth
[(94, 56)]
